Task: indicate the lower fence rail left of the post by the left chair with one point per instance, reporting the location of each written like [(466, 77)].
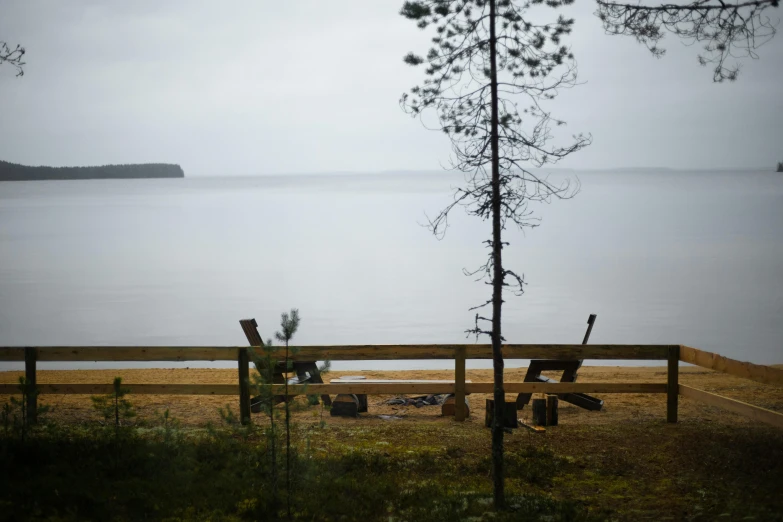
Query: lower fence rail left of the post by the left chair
[(137, 389)]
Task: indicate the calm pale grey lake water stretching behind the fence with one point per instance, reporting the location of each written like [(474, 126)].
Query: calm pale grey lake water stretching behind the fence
[(690, 258)]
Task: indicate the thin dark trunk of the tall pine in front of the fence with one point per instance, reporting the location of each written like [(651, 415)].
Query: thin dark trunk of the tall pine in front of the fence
[(497, 278)]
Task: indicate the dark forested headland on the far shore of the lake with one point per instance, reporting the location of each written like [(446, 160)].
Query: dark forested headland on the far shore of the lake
[(15, 172)]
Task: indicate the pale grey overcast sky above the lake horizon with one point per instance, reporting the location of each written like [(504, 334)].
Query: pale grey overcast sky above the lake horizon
[(249, 87)]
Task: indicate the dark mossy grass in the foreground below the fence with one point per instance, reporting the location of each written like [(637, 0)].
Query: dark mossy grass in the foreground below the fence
[(395, 471)]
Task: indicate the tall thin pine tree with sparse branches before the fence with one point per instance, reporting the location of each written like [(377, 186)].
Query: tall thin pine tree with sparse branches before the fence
[(486, 59)]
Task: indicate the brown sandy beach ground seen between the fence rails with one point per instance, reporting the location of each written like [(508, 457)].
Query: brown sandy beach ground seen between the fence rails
[(618, 408)]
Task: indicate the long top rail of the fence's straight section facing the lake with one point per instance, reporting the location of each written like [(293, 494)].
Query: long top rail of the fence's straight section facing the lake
[(345, 353)]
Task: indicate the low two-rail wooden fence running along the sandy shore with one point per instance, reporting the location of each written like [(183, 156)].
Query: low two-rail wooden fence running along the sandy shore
[(673, 354)]
